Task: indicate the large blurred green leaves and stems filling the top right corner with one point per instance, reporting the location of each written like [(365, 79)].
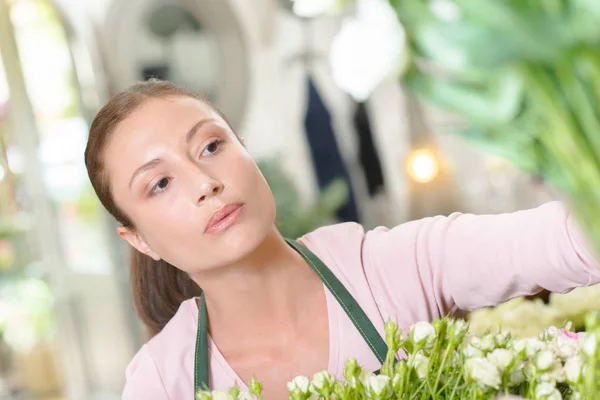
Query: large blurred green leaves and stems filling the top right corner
[(525, 76)]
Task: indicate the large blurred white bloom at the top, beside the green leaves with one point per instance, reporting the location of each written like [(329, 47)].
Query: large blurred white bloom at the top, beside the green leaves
[(368, 48)]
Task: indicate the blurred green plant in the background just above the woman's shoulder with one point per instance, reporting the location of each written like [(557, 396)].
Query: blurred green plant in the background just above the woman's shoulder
[(294, 217)]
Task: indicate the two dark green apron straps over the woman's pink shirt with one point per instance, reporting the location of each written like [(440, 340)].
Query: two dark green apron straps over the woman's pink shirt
[(344, 298)]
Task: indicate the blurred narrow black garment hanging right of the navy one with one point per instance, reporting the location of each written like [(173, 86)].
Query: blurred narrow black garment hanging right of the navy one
[(367, 153)]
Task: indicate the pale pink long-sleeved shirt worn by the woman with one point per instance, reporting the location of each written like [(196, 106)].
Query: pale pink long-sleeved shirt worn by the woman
[(417, 271)]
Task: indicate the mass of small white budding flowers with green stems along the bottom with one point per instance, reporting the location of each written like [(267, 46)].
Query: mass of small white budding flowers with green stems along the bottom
[(443, 360)]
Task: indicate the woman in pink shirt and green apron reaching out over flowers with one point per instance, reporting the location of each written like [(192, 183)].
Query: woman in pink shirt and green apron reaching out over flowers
[(199, 214)]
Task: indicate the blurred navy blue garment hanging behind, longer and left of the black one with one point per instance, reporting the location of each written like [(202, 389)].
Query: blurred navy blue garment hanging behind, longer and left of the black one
[(325, 153)]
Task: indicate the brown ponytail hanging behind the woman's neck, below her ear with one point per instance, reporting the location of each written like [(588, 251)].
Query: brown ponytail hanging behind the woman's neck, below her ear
[(158, 289)]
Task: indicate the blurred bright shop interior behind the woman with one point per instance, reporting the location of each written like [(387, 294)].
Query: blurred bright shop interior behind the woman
[(67, 328)]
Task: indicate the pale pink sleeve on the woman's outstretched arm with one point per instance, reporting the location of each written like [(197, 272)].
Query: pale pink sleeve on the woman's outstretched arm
[(427, 268)]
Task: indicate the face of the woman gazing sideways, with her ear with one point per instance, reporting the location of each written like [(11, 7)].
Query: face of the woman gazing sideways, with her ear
[(194, 194)]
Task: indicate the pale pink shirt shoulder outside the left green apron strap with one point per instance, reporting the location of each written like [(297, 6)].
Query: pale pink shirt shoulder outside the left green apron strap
[(169, 350)]
